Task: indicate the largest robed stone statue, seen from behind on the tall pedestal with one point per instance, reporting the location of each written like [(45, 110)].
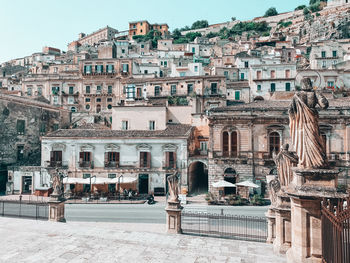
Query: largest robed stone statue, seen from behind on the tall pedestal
[(304, 128)]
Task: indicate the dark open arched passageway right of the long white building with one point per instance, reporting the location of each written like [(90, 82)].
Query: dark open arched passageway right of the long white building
[(197, 178)]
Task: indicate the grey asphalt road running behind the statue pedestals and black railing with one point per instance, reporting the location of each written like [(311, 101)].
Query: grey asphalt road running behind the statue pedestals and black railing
[(144, 213)]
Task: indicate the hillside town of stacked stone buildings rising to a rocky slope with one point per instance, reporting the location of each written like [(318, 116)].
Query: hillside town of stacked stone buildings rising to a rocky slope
[(208, 102)]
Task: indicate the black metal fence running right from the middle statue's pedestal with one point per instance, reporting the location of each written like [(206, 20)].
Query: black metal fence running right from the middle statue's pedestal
[(224, 226)]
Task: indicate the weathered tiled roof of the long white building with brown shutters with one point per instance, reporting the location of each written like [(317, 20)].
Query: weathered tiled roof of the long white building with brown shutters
[(172, 130)]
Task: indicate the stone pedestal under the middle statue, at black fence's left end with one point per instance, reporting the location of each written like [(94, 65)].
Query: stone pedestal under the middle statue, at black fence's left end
[(173, 220)]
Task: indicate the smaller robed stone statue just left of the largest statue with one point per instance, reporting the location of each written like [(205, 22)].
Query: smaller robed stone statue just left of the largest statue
[(285, 160)]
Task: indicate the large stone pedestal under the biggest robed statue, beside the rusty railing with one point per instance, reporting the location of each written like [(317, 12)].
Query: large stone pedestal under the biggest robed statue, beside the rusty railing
[(306, 191)]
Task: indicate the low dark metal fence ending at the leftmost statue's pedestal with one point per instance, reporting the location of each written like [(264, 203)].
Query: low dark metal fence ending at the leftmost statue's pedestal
[(24, 209)]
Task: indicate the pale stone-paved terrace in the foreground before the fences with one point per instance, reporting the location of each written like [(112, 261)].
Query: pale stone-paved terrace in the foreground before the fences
[(42, 241)]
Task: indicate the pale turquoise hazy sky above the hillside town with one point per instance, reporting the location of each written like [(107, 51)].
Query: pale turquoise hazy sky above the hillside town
[(28, 25)]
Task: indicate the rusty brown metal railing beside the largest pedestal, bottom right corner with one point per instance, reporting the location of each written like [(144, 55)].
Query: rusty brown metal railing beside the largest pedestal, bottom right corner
[(336, 231)]
